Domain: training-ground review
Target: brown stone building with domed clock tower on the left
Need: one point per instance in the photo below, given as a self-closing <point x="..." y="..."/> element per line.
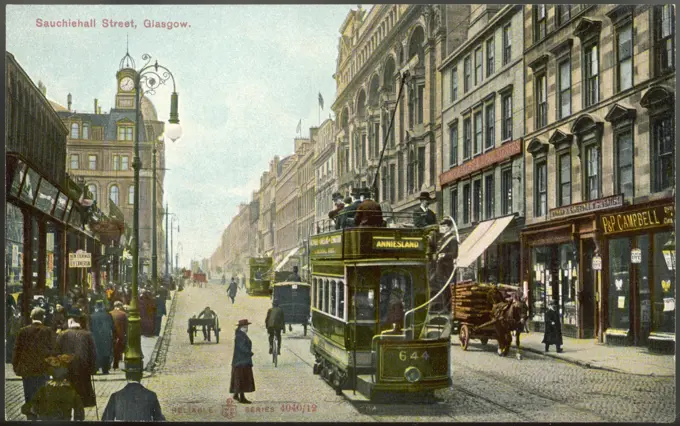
<point x="100" y="150"/>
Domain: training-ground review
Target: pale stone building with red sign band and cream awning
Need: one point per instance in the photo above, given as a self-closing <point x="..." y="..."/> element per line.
<point x="482" y="125"/>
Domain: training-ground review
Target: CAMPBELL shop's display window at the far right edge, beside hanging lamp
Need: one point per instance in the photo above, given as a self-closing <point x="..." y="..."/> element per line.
<point x="663" y="288"/>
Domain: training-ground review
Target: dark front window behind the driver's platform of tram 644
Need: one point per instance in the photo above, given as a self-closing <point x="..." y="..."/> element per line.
<point x="396" y="297"/>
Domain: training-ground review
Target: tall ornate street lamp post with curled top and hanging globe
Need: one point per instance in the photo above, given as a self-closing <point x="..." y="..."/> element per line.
<point x="149" y="77"/>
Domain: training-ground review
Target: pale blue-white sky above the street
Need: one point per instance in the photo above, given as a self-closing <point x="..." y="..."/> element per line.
<point x="245" y="76"/>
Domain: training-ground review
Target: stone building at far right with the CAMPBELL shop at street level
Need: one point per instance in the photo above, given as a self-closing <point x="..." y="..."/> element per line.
<point x="600" y="146"/>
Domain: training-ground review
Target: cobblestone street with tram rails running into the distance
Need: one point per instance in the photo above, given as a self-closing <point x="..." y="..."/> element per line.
<point x="192" y="381"/>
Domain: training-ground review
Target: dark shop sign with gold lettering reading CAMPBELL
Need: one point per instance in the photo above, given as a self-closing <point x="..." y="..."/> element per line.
<point x="637" y="220"/>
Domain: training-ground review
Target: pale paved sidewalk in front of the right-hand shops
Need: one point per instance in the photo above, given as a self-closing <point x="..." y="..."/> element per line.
<point x="590" y="354"/>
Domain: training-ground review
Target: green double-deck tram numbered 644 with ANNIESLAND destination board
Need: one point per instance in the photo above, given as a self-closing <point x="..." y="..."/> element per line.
<point x="373" y="326"/>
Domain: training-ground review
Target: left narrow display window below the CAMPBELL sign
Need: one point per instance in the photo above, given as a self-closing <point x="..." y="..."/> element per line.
<point x="619" y="283"/>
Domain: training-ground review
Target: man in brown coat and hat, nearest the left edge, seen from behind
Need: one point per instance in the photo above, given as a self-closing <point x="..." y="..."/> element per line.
<point x="33" y="345"/>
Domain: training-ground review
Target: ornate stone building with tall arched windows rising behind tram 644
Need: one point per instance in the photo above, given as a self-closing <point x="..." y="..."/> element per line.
<point x="373" y="47"/>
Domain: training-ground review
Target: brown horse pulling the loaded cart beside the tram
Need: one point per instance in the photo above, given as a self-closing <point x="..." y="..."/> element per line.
<point x="511" y="320"/>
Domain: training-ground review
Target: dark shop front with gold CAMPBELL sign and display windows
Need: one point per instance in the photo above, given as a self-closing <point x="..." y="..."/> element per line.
<point x="638" y="281"/>
